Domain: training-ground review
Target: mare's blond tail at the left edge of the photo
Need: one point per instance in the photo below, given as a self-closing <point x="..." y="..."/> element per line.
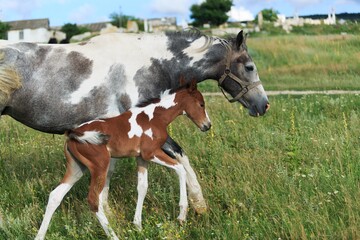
<point x="10" y="80"/>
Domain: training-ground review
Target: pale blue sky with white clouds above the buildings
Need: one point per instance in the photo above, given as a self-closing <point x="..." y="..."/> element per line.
<point x="60" y="12"/>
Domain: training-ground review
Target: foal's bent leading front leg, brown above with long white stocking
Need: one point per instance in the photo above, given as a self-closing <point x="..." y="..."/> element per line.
<point x="161" y="158"/>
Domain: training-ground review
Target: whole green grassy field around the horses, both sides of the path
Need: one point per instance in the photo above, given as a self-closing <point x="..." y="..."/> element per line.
<point x="292" y="174"/>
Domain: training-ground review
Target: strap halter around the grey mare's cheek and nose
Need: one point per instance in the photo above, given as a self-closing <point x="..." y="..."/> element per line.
<point x="245" y="86"/>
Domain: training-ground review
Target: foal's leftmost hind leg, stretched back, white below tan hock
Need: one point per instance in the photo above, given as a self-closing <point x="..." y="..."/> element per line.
<point x="74" y="171"/>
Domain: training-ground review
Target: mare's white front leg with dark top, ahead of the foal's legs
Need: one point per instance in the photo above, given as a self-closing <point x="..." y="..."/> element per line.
<point x="195" y="193"/>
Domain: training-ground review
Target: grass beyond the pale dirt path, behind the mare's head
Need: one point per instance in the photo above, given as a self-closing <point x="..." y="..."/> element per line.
<point x="292" y="62"/>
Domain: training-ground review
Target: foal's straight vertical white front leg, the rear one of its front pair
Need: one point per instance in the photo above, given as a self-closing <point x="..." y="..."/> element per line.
<point x="142" y="187"/>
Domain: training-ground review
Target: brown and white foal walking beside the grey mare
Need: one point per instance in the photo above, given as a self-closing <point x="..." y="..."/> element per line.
<point x="139" y="132"/>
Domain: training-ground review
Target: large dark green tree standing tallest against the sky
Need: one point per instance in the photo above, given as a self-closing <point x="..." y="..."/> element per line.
<point x="211" y="11"/>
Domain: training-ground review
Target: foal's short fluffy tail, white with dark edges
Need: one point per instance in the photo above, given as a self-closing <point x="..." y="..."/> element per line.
<point x="91" y="137"/>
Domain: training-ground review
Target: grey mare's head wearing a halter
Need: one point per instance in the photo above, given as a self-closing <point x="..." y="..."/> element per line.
<point x="241" y="80"/>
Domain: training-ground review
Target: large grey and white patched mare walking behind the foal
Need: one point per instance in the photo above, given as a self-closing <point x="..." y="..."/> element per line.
<point x="54" y="88"/>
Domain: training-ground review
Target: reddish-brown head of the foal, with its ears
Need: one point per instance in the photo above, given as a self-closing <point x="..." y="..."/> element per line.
<point x="193" y="104"/>
